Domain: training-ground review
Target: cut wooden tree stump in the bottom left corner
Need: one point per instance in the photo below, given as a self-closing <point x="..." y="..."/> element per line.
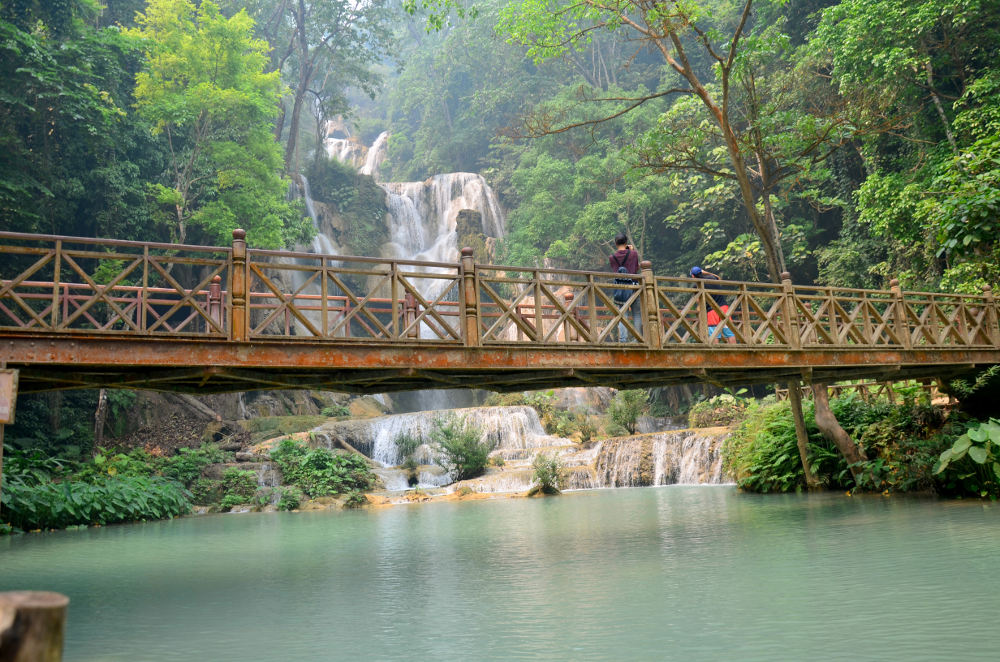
<point x="31" y="626"/>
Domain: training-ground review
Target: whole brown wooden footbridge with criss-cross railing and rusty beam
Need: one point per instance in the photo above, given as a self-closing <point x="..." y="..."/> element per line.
<point x="83" y="313"/>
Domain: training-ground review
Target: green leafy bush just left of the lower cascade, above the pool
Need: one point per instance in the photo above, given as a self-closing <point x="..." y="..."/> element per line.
<point x="319" y="471"/>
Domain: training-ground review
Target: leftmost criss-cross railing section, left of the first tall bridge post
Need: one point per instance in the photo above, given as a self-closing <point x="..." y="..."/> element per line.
<point x="73" y="285"/>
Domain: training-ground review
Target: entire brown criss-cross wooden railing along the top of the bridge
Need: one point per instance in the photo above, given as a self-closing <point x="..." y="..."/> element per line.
<point x="52" y="284"/>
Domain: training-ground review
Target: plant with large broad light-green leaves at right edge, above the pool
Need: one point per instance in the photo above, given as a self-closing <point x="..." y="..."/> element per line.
<point x="972" y="464"/>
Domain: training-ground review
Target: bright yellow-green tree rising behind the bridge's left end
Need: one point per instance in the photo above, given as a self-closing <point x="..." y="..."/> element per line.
<point x="205" y="91"/>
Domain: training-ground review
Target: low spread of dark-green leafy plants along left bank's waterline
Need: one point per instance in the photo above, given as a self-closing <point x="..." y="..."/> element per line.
<point x="107" y="500"/>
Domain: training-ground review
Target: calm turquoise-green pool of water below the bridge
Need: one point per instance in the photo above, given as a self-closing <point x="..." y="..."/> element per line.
<point x="672" y="573"/>
